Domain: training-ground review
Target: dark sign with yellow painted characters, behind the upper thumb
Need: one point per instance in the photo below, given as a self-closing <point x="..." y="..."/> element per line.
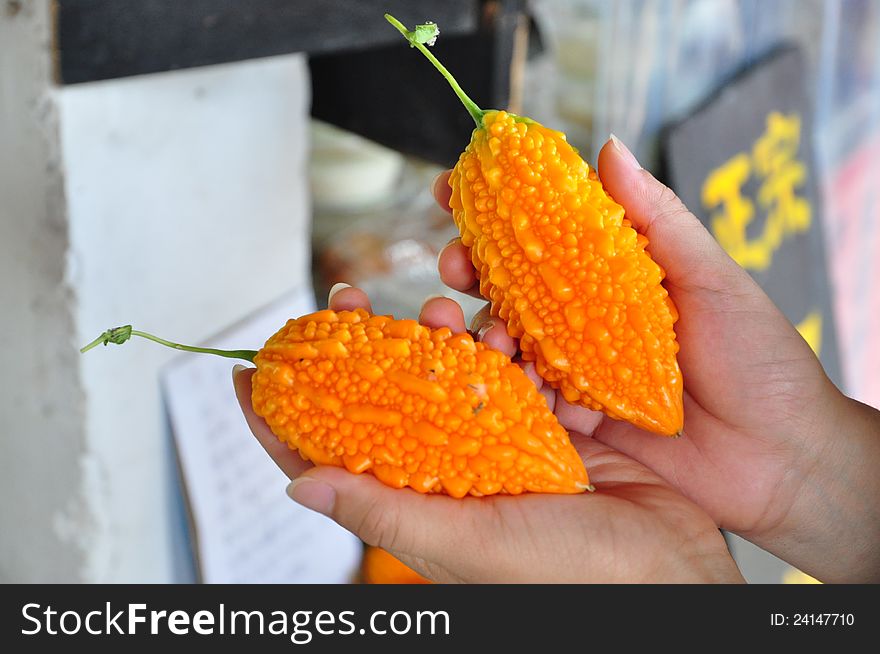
<point x="743" y="163"/>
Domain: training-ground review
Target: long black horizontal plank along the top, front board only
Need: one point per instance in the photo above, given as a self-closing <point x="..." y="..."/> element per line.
<point x="107" y="39"/>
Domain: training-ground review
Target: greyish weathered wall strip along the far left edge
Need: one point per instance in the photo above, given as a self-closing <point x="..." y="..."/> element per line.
<point x="43" y="510"/>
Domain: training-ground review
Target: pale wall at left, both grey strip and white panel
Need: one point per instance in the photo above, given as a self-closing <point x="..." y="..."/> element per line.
<point x="182" y="206"/>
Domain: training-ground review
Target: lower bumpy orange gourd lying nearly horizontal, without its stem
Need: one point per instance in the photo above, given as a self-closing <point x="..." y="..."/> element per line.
<point x="417" y="407"/>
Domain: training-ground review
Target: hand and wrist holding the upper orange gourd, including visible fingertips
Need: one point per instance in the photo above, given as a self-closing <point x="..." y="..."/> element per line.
<point x="771" y="450"/>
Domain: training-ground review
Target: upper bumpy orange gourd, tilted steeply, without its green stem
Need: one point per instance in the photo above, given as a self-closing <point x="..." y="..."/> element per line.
<point x="568" y="273"/>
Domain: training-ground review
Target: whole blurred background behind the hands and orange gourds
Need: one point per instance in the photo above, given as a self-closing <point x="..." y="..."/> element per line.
<point x="196" y="168"/>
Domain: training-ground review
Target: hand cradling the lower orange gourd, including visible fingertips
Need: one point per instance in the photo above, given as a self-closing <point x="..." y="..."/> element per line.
<point x="634" y="528"/>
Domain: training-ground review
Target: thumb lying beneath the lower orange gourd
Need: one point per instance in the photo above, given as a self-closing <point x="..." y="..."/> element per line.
<point x="419" y="529"/>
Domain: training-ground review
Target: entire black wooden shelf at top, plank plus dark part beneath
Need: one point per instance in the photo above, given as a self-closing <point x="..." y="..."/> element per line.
<point x="363" y="78"/>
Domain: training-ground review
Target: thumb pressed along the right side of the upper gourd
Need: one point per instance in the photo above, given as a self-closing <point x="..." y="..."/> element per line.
<point x="677" y="240"/>
